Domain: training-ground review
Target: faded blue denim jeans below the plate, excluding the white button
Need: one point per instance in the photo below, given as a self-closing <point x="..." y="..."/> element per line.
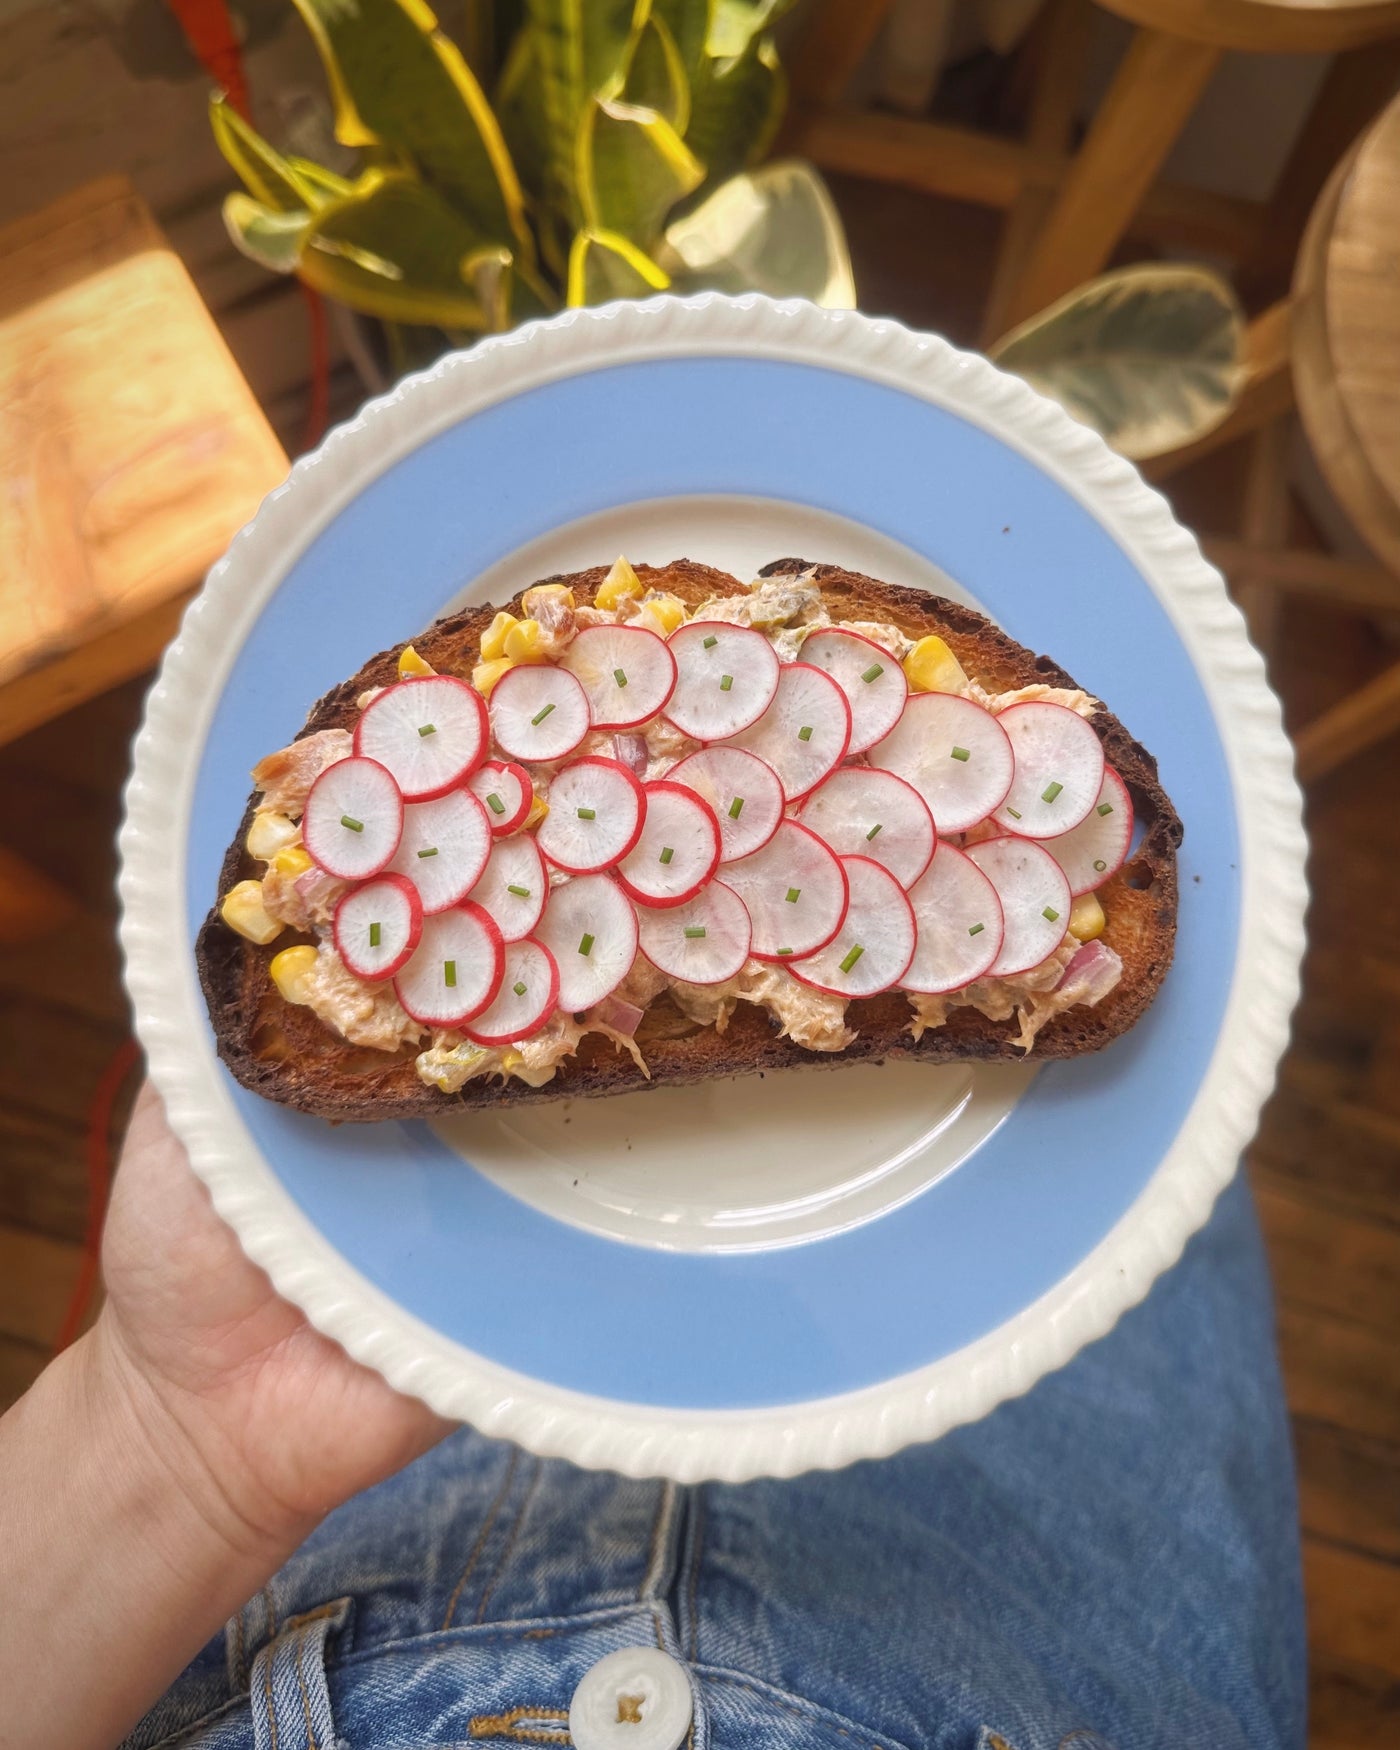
<point x="1110" y="1560"/>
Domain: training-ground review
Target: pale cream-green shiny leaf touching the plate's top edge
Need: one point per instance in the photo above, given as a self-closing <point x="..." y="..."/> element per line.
<point x="771" y="232"/>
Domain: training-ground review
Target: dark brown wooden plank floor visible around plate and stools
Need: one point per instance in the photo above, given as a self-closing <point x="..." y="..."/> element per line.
<point x="1326" y="1165"/>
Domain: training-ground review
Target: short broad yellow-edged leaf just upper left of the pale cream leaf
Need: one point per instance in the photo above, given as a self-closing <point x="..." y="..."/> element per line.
<point x="634" y="167"/>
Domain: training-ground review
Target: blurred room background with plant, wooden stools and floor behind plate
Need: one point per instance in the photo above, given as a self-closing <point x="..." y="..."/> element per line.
<point x="223" y="227"/>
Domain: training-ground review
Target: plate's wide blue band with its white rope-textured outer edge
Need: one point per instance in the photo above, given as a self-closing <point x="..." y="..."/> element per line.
<point x="769" y="1361"/>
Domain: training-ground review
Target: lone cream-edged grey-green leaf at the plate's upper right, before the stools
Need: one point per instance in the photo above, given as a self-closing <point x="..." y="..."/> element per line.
<point x="1149" y="356"/>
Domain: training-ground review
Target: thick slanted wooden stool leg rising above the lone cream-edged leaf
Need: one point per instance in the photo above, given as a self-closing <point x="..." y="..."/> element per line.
<point x="1144" y="113"/>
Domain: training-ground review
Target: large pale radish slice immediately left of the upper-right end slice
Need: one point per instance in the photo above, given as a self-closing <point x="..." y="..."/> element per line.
<point x="955" y="753"/>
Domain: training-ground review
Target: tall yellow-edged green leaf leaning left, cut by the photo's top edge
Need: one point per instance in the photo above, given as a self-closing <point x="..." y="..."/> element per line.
<point x="400" y="83"/>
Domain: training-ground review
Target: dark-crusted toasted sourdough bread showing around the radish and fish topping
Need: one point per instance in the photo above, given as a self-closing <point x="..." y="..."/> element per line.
<point x="286" y="1054"/>
